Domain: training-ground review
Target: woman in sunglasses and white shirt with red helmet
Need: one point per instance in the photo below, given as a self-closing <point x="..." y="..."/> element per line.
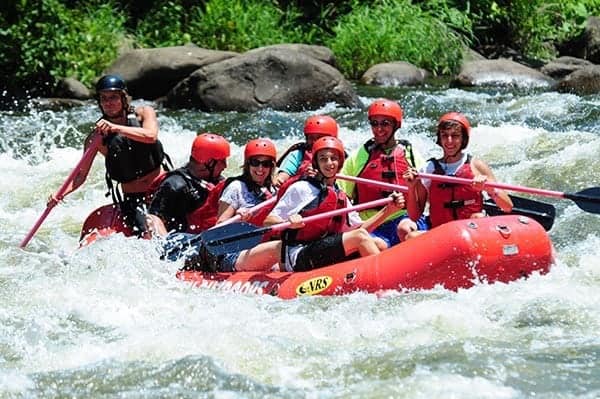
<point x="253" y="186"/>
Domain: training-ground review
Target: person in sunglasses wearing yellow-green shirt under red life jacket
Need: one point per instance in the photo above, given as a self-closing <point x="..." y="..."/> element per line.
<point x="382" y="158"/>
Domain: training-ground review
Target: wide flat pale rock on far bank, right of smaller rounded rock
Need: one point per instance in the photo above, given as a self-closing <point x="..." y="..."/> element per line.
<point x="501" y="73"/>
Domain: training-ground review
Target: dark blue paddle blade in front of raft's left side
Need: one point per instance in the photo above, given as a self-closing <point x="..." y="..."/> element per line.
<point x="232" y="237"/>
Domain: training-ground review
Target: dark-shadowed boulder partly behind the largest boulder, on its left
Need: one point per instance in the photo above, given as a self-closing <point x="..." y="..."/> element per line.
<point x="151" y="73"/>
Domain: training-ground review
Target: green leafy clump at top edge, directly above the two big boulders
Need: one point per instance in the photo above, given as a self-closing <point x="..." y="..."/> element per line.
<point x="239" y="25"/>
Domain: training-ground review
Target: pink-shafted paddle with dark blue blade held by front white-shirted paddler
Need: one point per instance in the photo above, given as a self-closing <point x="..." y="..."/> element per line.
<point x="239" y="236"/>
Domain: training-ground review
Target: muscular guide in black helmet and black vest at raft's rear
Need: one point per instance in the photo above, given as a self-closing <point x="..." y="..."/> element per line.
<point x="134" y="157"/>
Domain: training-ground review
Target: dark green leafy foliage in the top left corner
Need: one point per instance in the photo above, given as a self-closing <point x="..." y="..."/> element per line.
<point x="50" y="41"/>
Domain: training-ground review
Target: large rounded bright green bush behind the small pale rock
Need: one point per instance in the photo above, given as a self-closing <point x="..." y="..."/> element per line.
<point x="394" y="31"/>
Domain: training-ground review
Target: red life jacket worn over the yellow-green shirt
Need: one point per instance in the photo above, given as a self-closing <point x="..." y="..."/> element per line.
<point x="385" y="168"/>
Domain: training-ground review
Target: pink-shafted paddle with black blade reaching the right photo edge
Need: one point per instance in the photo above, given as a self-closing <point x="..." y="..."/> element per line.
<point x="588" y="199"/>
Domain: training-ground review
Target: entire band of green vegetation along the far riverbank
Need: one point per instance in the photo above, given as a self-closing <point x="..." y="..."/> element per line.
<point x="42" y="41"/>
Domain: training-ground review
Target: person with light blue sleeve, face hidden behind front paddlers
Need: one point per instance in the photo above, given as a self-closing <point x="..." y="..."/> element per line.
<point x="298" y="158"/>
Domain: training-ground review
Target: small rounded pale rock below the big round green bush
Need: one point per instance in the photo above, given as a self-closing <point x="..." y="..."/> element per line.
<point x="398" y="73"/>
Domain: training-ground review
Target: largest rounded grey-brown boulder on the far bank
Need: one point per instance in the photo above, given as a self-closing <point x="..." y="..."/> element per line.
<point x="264" y="78"/>
